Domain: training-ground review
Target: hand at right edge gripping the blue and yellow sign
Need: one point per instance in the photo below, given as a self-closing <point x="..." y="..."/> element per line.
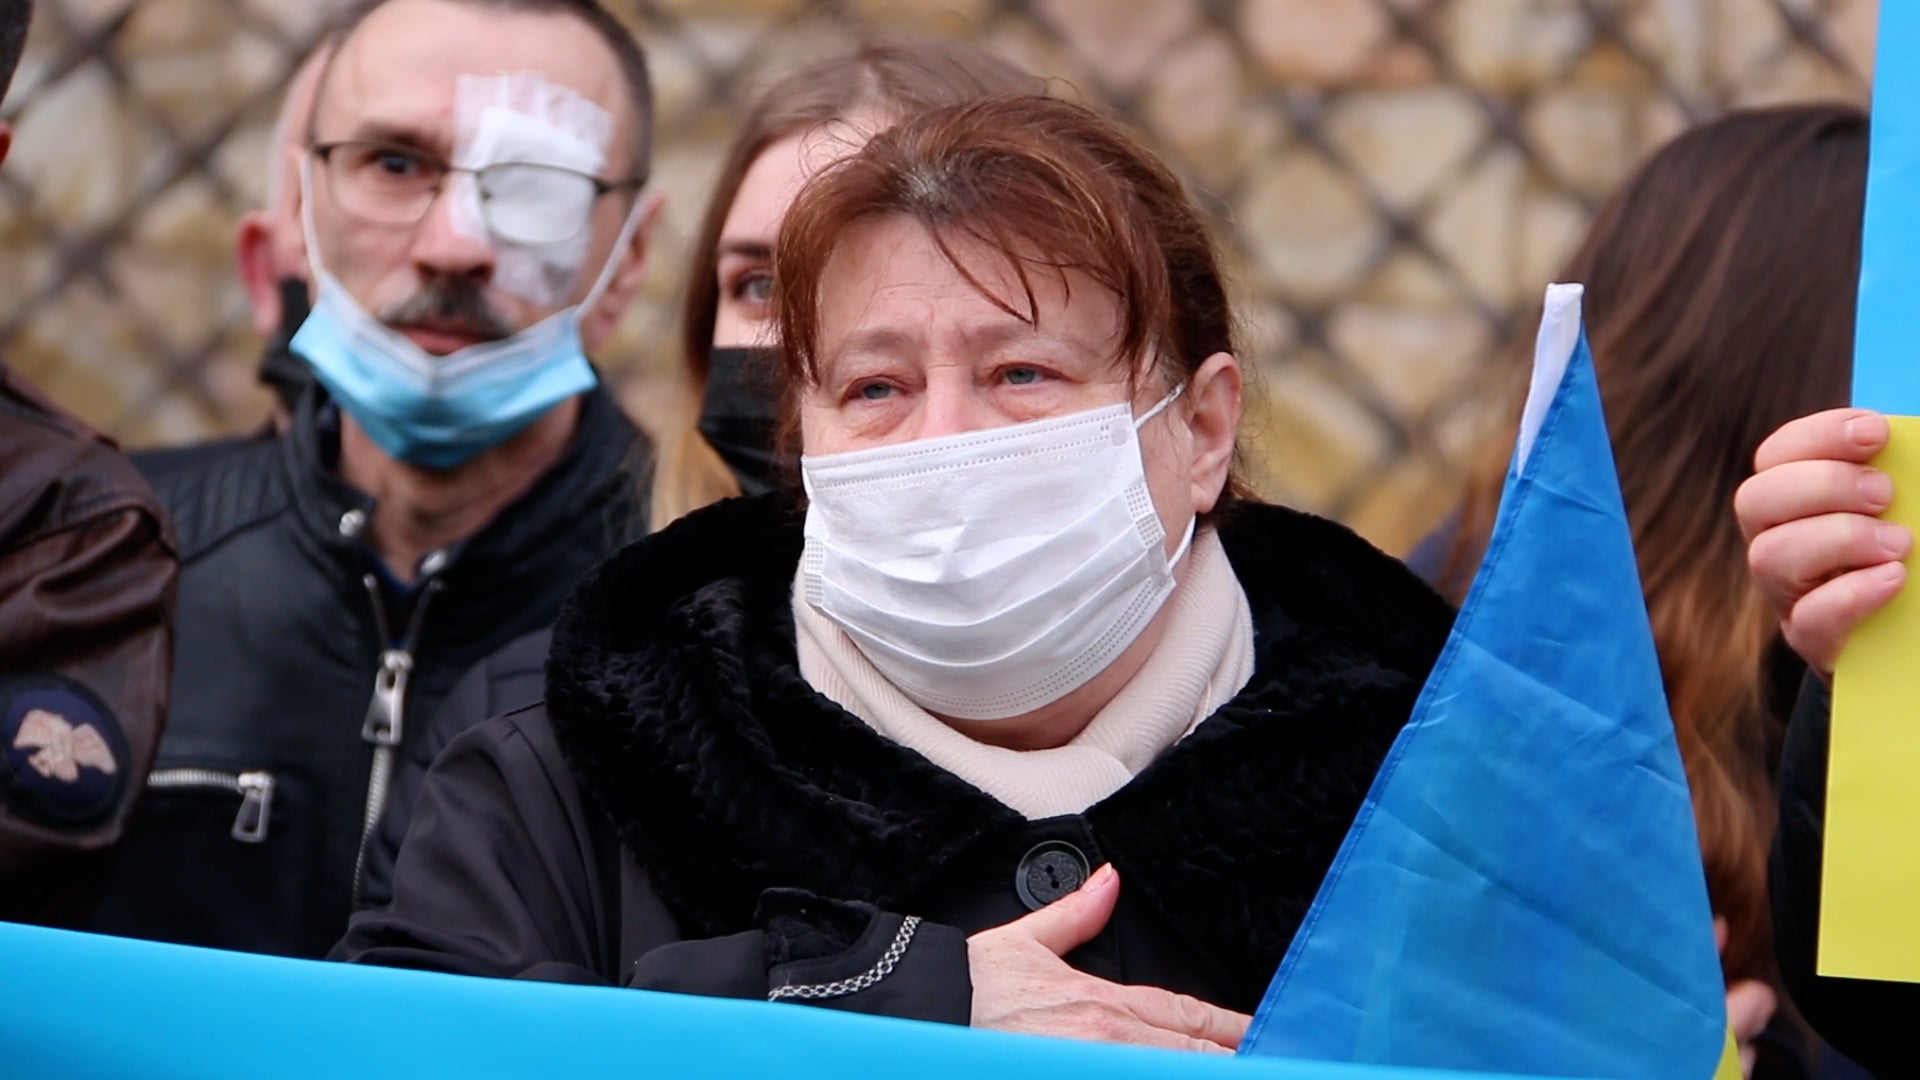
<point x="1815" y="545"/>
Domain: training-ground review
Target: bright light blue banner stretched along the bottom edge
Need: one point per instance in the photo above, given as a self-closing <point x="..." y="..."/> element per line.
<point x="93" y="1006"/>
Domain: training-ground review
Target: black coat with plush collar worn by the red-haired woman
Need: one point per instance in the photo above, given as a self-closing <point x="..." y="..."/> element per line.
<point x="688" y="814"/>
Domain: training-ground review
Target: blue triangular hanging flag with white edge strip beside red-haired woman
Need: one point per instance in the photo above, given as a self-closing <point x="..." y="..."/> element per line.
<point x="1524" y="887"/>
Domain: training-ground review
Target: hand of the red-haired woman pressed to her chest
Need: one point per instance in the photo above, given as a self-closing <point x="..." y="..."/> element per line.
<point x="1020" y="983"/>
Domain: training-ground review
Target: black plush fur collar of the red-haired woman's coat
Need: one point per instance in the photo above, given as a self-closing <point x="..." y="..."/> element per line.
<point x="677" y="697"/>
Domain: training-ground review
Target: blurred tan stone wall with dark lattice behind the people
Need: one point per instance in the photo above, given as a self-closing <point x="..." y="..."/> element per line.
<point x="1397" y="182"/>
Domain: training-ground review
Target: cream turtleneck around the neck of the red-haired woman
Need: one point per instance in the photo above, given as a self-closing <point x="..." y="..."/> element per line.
<point x="1205" y="658"/>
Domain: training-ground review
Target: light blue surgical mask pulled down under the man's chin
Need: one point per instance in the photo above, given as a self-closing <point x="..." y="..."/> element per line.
<point x="431" y="410"/>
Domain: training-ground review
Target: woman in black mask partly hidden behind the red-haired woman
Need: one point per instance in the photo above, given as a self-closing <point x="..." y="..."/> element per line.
<point x="800" y="126"/>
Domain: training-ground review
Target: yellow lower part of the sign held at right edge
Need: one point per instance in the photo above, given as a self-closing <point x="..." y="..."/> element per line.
<point x="1871" y="883"/>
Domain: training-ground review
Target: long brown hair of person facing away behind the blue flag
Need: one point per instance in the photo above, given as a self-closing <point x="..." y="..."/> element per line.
<point x="1719" y="305"/>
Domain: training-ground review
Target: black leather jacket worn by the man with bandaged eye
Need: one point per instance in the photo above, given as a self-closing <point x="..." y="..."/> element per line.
<point x="300" y="679"/>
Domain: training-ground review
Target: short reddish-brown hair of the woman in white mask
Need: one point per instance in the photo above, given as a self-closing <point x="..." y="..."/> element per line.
<point x="1045" y="184"/>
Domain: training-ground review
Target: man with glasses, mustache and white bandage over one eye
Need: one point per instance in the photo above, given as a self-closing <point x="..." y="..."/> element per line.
<point x="475" y="214"/>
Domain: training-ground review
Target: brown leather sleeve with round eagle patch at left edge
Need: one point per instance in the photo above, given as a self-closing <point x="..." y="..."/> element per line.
<point x="87" y="581"/>
